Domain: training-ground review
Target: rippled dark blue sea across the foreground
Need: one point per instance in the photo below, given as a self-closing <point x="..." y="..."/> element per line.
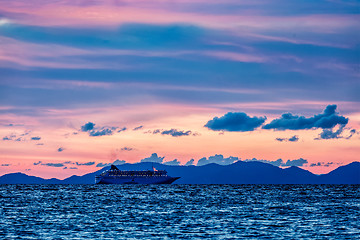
<point x="179" y="211"/>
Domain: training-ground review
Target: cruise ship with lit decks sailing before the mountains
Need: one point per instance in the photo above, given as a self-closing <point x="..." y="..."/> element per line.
<point x="117" y="176"/>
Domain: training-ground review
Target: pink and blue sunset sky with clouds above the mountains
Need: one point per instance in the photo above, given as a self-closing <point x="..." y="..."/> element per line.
<point x="87" y="83"/>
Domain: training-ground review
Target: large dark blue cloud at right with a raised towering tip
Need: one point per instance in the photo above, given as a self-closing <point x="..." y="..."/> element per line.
<point x="328" y="119"/>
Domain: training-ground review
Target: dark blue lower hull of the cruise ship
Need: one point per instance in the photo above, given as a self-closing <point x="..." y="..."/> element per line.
<point x="134" y="180"/>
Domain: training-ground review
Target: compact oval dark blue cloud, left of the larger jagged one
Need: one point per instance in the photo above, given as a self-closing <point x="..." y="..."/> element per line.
<point x="235" y="122"/>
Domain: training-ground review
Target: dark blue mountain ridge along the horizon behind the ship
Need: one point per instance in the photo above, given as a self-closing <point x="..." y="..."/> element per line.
<point x="236" y="173"/>
